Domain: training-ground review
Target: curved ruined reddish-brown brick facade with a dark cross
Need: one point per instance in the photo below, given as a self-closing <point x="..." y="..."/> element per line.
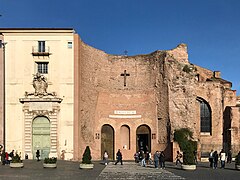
<point x="162" y="91"/>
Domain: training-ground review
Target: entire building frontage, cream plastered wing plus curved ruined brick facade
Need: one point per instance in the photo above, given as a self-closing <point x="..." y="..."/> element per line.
<point x="110" y="102"/>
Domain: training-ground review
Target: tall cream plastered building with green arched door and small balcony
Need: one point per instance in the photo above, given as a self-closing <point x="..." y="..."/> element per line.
<point x="36" y="120"/>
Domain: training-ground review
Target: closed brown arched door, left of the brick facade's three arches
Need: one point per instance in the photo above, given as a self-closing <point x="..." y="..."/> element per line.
<point x="107" y="141"/>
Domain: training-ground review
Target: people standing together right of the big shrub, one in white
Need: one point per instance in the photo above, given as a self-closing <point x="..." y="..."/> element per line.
<point x="214" y="158"/>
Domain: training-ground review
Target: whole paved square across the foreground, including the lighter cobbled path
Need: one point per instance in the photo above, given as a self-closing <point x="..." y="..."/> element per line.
<point x="65" y="170"/>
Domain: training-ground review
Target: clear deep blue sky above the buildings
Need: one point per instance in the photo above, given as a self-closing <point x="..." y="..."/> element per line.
<point x="210" y="28"/>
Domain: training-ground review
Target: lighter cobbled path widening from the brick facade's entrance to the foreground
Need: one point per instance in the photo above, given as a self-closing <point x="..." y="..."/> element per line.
<point x="131" y="170"/>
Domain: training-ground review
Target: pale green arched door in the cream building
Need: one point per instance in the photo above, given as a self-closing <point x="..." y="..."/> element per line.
<point x="41" y="137"/>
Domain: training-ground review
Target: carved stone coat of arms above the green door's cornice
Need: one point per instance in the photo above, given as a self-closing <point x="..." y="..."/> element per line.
<point x="40" y="85"/>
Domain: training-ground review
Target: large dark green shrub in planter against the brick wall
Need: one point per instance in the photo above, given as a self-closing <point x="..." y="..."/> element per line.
<point x="184" y="137"/>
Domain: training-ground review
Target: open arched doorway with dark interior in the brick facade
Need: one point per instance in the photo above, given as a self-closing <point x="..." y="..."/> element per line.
<point x="143" y="135"/>
